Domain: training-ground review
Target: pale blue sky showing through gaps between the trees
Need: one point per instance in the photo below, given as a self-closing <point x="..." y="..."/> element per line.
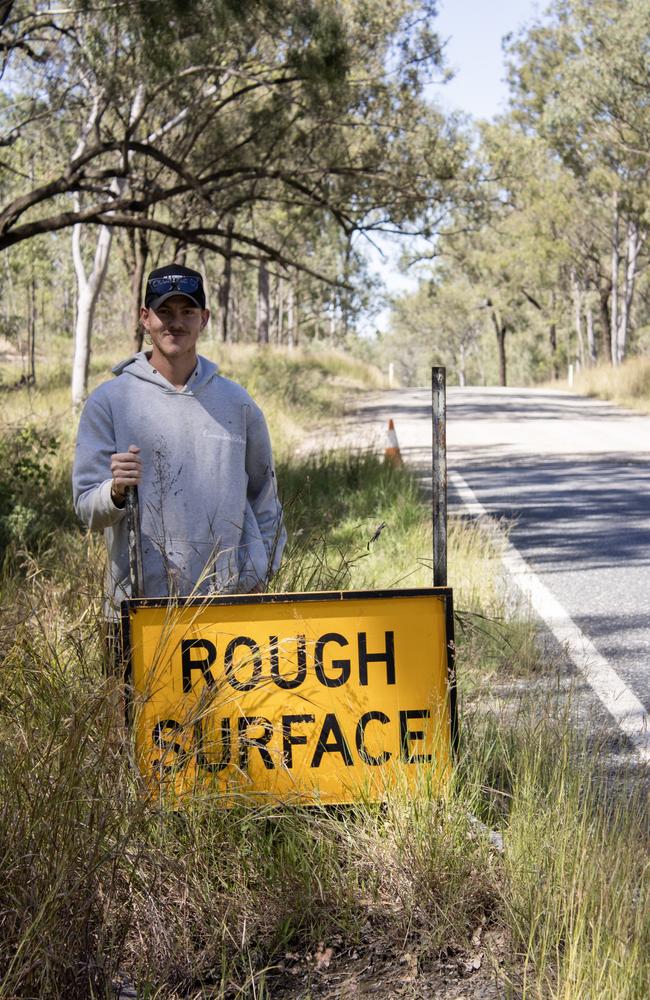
<point x="471" y="31"/>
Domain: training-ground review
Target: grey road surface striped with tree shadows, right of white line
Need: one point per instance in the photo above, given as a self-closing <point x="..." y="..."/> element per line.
<point x="571" y="477"/>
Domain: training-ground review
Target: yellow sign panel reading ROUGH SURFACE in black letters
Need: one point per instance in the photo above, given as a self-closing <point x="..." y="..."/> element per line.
<point x="307" y="698"/>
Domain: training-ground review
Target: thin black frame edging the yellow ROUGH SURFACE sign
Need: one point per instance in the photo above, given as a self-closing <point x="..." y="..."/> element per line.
<point x="130" y="605"/>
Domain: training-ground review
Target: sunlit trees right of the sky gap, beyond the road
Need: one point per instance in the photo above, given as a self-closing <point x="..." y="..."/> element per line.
<point x="558" y="258"/>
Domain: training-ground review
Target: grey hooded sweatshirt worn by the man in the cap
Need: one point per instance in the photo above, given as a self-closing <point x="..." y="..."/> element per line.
<point x="211" y="518"/>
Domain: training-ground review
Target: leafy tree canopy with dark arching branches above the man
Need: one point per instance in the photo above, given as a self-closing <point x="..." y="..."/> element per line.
<point x="188" y="121"/>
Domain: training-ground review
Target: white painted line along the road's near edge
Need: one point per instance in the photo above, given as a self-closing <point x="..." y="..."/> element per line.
<point x="621" y="703"/>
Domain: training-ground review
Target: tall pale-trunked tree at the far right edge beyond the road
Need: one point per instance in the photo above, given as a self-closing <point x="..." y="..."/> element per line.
<point x="580" y="79"/>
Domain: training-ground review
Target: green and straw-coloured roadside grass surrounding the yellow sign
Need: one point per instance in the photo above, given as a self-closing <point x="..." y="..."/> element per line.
<point x="97" y="881"/>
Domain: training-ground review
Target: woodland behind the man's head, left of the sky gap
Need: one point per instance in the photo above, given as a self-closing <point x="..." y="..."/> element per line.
<point x="257" y="140"/>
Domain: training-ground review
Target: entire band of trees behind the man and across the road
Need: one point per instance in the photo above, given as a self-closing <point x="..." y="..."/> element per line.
<point x="271" y="144"/>
